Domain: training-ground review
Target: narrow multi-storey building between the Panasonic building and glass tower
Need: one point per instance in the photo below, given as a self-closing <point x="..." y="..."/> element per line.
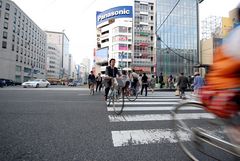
<point x="144" y="36"/>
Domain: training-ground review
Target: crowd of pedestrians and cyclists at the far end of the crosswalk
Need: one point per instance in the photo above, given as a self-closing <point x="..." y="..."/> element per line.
<point x="143" y="81"/>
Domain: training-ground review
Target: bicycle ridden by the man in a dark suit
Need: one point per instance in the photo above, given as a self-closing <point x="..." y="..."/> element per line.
<point x="116" y="95"/>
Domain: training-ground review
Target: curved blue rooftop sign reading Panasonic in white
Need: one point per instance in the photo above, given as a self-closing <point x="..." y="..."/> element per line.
<point x="117" y="12"/>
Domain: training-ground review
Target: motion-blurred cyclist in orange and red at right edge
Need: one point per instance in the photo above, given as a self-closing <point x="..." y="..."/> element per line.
<point x="221" y="96"/>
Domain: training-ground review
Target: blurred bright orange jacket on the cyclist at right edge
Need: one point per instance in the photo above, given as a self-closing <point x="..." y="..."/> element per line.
<point x="225" y="71"/>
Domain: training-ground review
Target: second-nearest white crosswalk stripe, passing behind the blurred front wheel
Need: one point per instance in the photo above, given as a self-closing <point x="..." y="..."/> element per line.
<point x="159" y="117"/>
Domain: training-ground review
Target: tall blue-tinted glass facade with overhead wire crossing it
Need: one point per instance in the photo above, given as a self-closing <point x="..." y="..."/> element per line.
<point x="177" y="38"/>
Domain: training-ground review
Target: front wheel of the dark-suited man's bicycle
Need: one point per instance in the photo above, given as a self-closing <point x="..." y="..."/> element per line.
<point x="118" y="103"/>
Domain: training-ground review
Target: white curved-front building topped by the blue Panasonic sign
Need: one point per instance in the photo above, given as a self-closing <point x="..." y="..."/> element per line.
<point x="114" y="37"/>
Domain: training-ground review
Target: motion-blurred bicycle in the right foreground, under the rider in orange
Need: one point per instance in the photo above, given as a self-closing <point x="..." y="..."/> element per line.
<point x="191" y="137"/>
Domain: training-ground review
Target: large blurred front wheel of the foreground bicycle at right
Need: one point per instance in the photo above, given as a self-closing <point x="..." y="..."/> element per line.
<point x="190" y="120"/>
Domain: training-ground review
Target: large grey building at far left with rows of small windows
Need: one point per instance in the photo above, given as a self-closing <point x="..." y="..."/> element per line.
<point x="22" y="45"/>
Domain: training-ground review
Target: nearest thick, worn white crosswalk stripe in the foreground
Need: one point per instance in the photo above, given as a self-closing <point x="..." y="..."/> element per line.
<point x="138" y="137"/>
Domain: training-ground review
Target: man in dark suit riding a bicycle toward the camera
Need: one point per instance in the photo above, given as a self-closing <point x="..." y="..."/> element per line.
<point x="111" y="72"/>
